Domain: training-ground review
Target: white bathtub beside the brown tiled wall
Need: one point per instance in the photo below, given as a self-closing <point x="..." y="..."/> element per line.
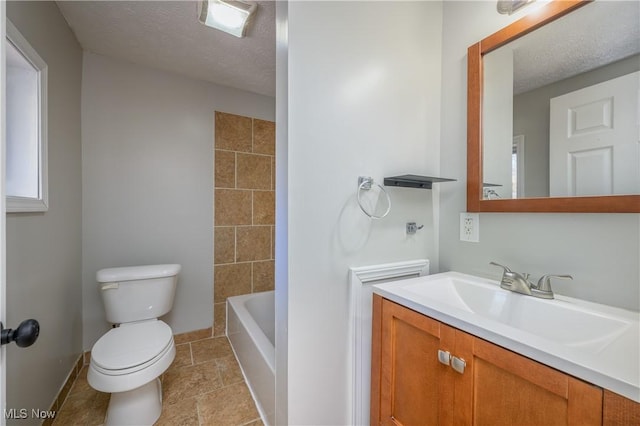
<point x="251" y="331"/>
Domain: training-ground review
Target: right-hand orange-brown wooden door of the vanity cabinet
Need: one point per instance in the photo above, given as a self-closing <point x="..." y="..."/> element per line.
<point x="499" y="387"/>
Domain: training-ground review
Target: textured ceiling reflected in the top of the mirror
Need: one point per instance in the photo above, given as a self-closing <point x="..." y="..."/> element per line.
<point x="590" y="37"/>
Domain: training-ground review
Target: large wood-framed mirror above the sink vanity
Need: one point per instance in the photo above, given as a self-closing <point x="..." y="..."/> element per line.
<point x="485" y="114"/>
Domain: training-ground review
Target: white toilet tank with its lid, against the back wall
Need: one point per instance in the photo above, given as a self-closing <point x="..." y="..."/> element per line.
<point x="136" y="293"/>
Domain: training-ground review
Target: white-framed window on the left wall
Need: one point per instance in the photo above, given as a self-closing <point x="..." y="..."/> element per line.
<point x="26" y="121"/>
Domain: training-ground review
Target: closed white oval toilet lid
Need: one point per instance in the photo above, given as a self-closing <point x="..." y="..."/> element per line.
<point x="131" y="345"/>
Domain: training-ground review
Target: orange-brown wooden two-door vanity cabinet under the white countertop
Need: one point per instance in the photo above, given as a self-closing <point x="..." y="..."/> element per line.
<point x="410" y="386"/>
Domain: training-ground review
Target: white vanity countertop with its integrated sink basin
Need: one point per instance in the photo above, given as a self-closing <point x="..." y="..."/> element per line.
<point x="597" y="343"/>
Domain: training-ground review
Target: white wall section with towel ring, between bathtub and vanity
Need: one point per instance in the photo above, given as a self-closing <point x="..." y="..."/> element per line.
<point x="363" y="99"/>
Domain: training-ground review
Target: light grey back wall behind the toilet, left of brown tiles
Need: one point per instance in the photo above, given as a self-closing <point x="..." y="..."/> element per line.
<point x="147" y="163"/>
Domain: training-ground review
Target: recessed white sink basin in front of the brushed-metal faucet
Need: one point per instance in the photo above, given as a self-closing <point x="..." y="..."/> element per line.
<point x="557" y="320"/>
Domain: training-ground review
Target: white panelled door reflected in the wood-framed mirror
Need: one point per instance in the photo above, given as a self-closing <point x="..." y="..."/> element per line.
<point x="595" y="140"/>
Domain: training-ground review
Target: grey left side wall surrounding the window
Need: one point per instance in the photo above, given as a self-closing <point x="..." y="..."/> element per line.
<point x="44" y="250"/>
